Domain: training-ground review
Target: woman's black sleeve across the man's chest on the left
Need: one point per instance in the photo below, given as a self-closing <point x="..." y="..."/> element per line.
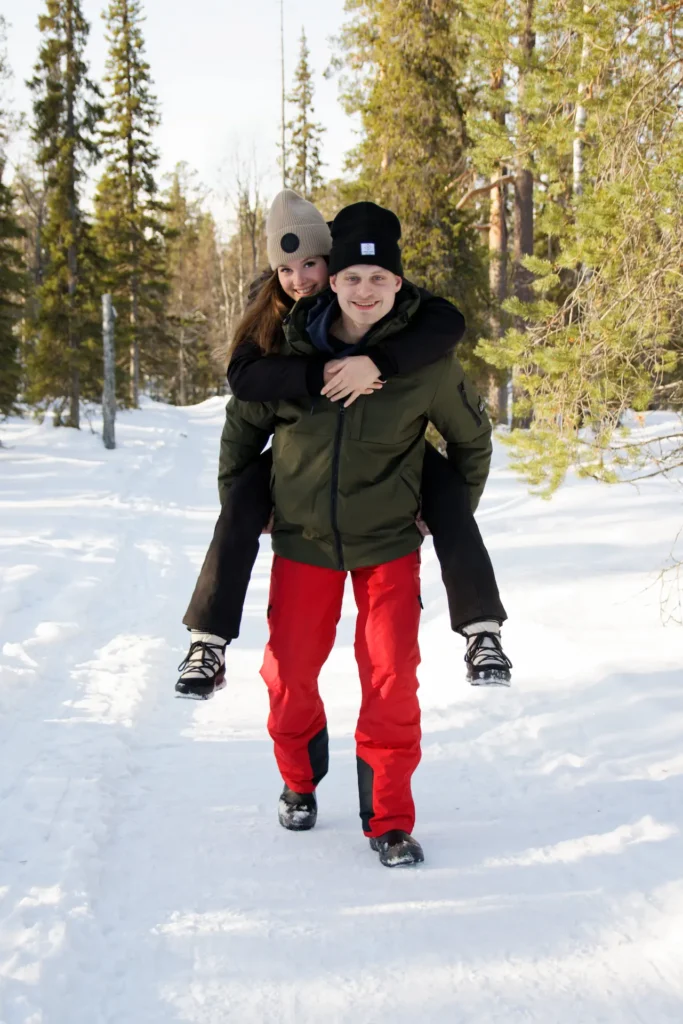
<point x="255" y="377"/>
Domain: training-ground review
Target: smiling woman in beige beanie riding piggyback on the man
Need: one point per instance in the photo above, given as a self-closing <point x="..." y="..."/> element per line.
<point x="298" y="245"/>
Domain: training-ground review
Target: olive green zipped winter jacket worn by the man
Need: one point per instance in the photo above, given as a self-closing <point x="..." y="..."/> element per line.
<point x="347" y="483"/>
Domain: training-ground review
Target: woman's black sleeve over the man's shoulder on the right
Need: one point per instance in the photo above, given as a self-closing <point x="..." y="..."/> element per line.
<point x="434" y="333"/>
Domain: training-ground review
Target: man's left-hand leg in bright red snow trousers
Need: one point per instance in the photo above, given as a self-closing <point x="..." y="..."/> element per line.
<point x="304" y="612"/>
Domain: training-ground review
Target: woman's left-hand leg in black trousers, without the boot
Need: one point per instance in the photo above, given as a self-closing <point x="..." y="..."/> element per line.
<point x="219" y="601"/>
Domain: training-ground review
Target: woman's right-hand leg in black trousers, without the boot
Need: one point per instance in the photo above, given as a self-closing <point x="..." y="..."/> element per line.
<point x="466" y="570"/>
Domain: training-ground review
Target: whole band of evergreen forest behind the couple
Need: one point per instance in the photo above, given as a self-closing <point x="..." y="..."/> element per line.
<point x="533" y="150"/>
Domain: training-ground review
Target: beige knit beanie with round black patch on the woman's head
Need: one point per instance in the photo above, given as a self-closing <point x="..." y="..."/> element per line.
<point x="295" y="230"/>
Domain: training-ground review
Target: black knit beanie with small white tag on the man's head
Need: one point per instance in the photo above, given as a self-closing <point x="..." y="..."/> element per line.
<point x="366" y="233"/>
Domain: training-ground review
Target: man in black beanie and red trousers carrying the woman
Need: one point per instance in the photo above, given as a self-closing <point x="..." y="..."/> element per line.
<point x="346" y="487"/>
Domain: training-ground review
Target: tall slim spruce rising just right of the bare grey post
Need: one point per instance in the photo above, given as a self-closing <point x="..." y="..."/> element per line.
<point x="130" y="228"/>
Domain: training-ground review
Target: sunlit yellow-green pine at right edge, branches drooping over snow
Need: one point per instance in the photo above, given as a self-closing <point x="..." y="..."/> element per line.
<point x="606" y="324"/>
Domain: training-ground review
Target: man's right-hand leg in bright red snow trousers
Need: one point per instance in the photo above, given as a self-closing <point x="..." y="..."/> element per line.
<point x="389" y="655"/>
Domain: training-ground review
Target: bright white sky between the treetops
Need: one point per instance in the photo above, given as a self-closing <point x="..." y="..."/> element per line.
<point x="217" y="70"/>
